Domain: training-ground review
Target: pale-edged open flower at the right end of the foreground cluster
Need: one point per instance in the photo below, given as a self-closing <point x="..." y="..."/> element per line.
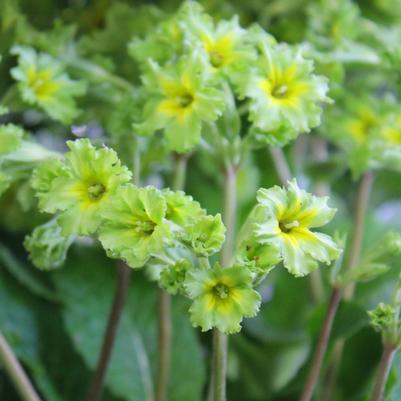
<point x="286" y="219"/>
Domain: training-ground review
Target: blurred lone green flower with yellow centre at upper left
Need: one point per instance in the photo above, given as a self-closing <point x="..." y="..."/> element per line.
<point x="43" y="82"/>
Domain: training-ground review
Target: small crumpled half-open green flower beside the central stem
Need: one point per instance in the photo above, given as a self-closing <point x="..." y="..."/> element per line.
<point x="206" y="235"/>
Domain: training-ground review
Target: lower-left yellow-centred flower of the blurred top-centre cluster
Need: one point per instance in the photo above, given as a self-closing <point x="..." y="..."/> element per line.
<point x="182" y="98"/>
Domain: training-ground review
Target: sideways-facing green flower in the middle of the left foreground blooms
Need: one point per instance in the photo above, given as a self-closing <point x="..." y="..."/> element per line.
<point x="134" y="225"/>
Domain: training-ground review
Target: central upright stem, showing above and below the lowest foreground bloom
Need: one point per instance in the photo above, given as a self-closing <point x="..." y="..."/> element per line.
<point x="220" y="340"/>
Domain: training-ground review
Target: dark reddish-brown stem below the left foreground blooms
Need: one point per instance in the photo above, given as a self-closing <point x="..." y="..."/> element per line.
<point x="96" y="388"/>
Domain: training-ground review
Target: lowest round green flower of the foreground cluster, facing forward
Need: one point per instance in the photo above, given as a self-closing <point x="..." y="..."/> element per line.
<point x="221" y="298"/>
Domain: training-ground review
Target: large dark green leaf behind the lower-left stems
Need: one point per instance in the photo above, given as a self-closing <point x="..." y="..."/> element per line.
<point x="88" y="277"/>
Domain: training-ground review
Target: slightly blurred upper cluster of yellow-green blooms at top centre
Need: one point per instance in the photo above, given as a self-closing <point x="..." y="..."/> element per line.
<point x="193" y="66"/>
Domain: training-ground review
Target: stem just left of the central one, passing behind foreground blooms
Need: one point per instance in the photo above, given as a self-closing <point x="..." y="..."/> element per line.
<point x="164" y="303"/>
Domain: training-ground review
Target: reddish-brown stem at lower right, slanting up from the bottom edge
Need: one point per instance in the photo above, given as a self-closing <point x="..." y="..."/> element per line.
<point x="321" y="346"/>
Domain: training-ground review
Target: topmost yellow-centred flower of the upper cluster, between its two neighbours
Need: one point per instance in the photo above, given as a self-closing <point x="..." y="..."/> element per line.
<point x="224" y="44"/>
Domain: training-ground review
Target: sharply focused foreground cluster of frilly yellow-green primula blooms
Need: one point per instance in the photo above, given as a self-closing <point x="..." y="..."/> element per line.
<point x="89" y="192"/>
